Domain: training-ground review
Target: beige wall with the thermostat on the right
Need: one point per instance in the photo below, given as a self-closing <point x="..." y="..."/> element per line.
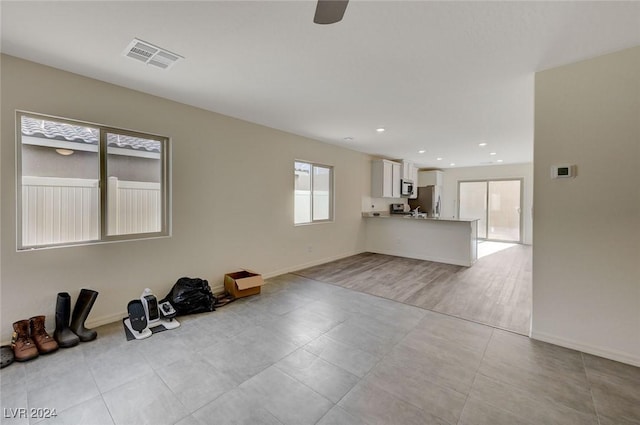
<point x="586" y="251"/>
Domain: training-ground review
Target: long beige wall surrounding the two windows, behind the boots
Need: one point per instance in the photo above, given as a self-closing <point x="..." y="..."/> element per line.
<point x="232" y="190"/>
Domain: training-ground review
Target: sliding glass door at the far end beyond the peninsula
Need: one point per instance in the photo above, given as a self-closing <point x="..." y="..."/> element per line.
<point x="498" y="206"/>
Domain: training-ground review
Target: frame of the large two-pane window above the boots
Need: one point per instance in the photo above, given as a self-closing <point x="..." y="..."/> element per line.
<point x="103" y="150"/>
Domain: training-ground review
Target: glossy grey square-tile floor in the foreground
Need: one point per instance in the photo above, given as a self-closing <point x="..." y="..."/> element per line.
<point x="306" y="352"/>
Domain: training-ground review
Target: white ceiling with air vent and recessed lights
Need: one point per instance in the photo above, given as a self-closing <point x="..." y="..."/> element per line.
<point x="439" y="76"/>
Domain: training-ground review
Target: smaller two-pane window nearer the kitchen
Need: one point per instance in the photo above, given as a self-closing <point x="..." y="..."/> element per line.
<point x="313" y="192"/>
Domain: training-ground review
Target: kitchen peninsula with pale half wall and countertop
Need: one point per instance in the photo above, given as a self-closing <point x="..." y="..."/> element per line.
<point x="444" y="240"/>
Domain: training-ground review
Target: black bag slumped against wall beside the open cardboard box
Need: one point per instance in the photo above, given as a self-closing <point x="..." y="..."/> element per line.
<point x="190" y="296"/>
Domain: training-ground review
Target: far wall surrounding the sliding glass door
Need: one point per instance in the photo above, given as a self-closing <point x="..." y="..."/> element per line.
<point x="452" y="176"/>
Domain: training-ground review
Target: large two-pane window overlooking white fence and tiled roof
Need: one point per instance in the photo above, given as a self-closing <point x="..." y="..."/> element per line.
<point x="83" y="183"/>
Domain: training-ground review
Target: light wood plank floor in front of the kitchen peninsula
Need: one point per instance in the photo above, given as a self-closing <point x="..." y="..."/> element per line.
<point x="495" y="291"/>
